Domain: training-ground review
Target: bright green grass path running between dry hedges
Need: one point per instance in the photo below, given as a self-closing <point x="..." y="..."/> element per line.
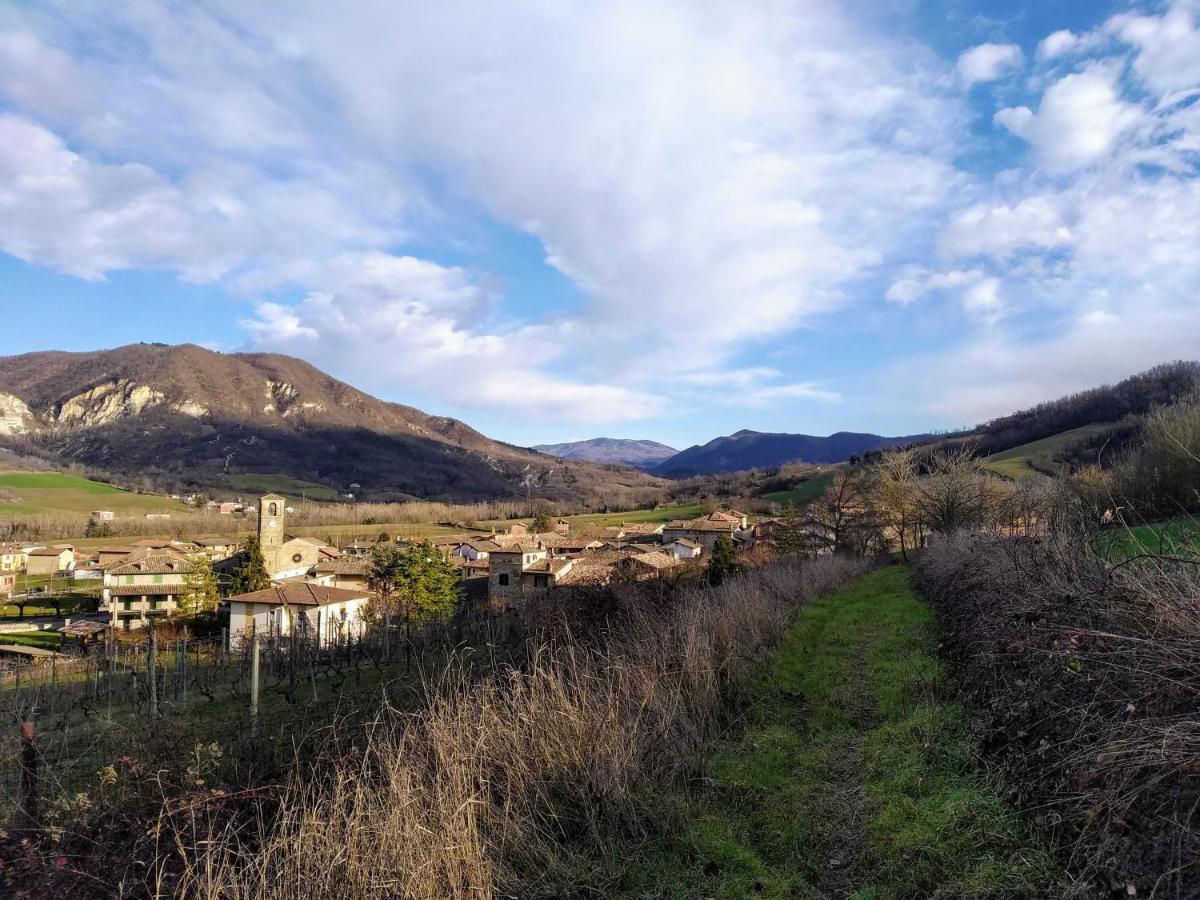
<point x="855" y="776"/>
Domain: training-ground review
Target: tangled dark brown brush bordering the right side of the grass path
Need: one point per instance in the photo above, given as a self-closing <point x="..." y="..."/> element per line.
<point x="1090" y="676"/>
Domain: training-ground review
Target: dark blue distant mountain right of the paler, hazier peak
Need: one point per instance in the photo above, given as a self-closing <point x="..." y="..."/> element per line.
<point x="763" y="451"/>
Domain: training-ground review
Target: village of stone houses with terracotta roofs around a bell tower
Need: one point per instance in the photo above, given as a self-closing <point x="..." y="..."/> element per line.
<point x="325" y="591"/>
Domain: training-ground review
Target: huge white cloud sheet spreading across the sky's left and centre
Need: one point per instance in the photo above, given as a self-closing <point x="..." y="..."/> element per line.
<point x="730" y="171"/>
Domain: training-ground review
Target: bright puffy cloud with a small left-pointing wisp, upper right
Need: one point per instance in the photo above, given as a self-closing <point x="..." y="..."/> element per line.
<point x="1079" y="122"/>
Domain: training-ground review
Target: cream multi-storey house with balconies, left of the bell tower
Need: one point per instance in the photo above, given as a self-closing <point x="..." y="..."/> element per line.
<point x="149" y="585"/>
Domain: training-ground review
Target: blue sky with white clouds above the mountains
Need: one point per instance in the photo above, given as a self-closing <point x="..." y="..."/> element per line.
<point x="649" y="219"/>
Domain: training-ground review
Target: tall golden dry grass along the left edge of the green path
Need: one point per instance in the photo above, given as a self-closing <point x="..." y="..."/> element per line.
<point x="517" y="784"/>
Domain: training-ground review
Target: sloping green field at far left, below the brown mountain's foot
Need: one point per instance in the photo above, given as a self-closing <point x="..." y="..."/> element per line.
<point x="50" y="493"/>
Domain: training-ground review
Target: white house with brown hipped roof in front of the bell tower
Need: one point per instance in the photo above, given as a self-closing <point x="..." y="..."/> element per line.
<point x="325" y="614"/>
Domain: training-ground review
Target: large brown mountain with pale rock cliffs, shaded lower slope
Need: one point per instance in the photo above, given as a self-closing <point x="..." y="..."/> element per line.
<point x="188" y="416"/>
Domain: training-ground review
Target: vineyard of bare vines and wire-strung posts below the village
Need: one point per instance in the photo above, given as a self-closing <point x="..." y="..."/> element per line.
<point x="247" y="713"/>
